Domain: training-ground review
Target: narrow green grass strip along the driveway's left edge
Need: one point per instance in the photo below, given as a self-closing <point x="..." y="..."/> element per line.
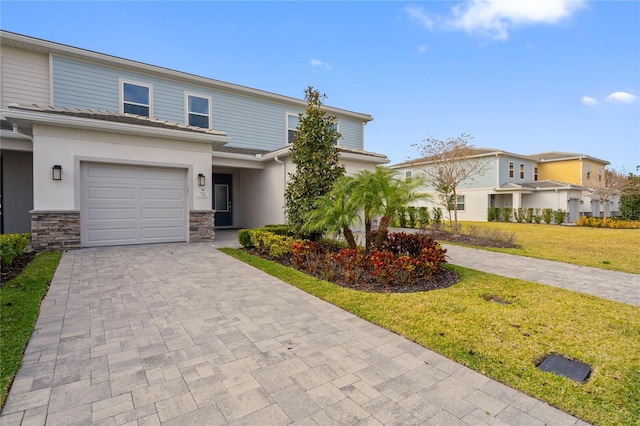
<point x="19" y="307"/>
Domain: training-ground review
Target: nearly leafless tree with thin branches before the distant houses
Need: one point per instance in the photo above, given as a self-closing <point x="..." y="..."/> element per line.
<point x="451" y="162"/>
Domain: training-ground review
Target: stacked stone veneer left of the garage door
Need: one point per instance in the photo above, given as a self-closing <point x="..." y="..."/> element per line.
<point x="55" y="230"/>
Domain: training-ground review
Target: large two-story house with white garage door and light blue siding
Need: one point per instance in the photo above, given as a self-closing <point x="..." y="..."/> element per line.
<point x="98" y="150"/>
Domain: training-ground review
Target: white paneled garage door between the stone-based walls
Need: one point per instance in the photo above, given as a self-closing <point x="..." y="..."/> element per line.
<point x="124" y="204"/>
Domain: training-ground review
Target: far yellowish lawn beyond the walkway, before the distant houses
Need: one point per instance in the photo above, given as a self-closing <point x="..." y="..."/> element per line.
<point x="614" y="249"/>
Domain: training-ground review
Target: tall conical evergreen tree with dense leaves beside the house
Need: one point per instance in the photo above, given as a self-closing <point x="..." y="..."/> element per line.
<point x="315" y="156"/>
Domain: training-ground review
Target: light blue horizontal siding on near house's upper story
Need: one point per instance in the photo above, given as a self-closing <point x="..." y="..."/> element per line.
<point x="249" y="122"/>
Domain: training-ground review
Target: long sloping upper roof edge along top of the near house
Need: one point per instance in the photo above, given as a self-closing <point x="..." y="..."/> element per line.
<point x="12" y="39"/>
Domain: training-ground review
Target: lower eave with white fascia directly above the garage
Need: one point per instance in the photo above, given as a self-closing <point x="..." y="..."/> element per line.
<point x="59" y="120"/>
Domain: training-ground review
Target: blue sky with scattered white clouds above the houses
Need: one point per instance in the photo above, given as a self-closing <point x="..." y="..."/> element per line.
<point x="523" y="76"/>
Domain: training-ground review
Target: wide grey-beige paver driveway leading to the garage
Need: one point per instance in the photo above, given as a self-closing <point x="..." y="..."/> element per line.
<point x="183" y="334"/>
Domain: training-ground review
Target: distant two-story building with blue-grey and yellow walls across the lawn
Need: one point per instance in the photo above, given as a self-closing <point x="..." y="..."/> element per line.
<point x="514" y="181"/>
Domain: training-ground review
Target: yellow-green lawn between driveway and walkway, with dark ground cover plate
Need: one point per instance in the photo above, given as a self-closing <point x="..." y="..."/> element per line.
<point x="505" y="342"/>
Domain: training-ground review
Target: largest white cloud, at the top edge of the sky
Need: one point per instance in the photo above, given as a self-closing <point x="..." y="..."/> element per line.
<point x="495" y="18"/>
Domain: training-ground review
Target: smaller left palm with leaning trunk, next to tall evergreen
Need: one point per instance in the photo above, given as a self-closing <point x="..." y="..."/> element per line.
<point x="334" y="212"/>
